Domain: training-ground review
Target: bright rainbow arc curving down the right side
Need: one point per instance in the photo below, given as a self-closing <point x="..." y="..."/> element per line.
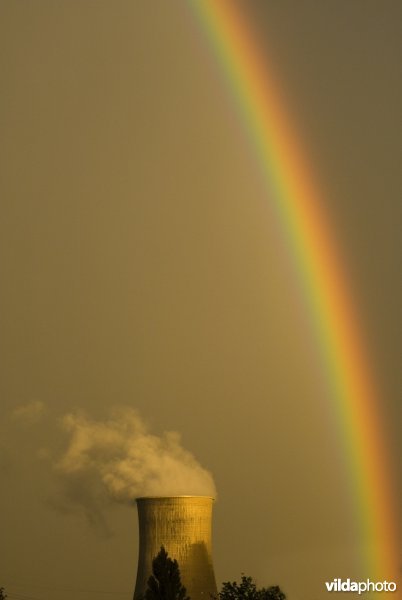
<point x="321" y="278"/>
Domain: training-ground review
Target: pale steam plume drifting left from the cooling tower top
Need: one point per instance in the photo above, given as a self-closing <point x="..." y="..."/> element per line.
<point x="126" y="461"/>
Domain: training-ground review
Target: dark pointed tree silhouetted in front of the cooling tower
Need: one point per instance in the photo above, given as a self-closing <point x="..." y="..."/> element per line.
<point x="165" y="582"/>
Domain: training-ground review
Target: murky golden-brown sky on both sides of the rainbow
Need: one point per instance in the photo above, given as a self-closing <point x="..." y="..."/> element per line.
<point x="140" y="268"/>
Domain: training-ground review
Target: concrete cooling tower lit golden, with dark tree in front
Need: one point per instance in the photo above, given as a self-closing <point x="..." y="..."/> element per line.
<point x="182" y="524"/>
